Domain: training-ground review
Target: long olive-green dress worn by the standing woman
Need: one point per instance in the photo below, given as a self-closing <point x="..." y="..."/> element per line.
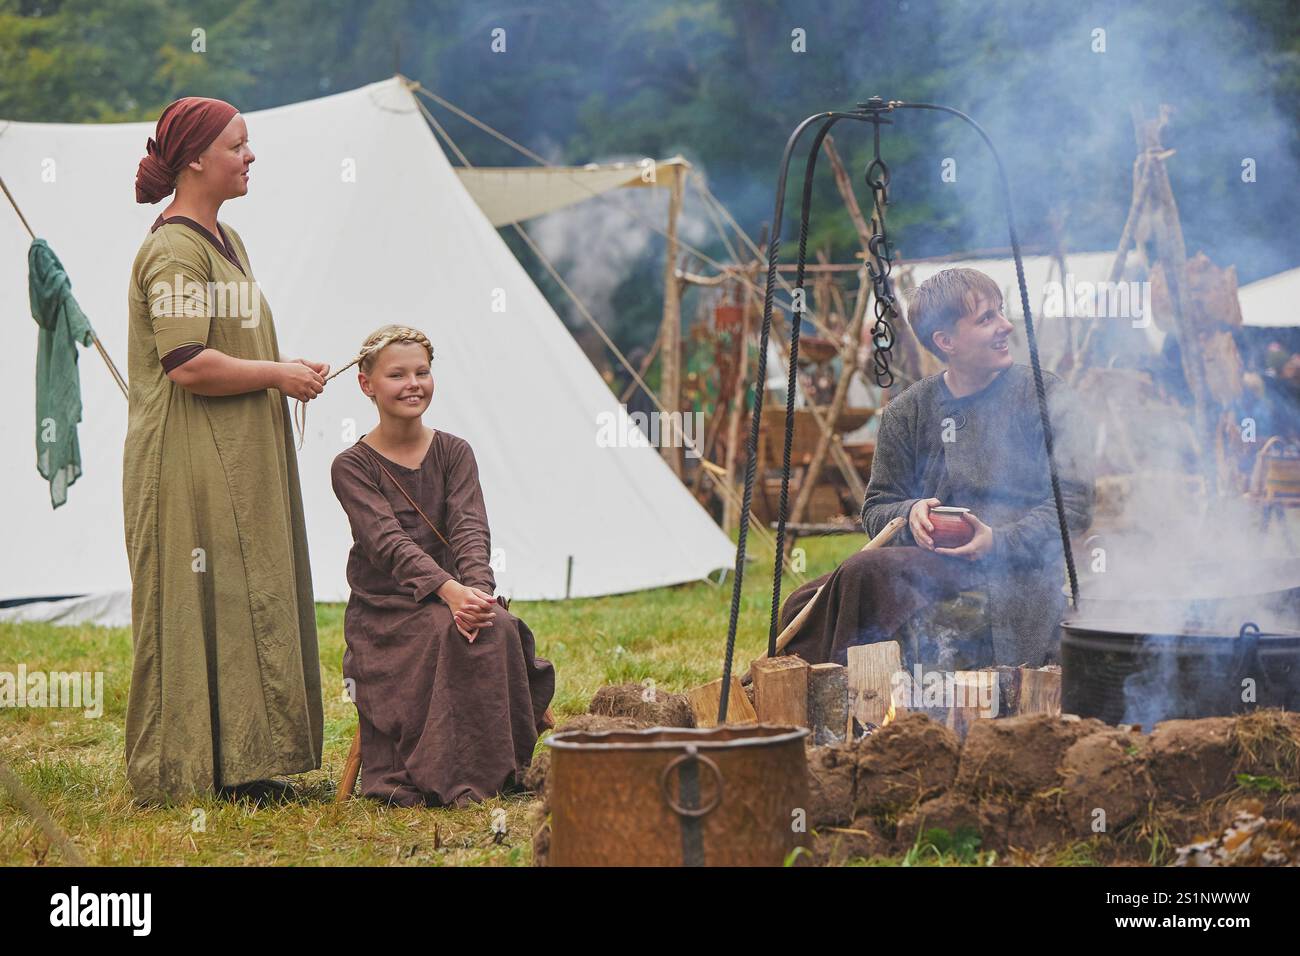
<point x="226" y="685"/>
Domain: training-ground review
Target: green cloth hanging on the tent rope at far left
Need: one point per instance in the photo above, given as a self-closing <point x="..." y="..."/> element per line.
<point x="63" y="327"/>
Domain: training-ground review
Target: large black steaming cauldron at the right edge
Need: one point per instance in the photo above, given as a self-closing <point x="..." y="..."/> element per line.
<point x="1123" y="673"/>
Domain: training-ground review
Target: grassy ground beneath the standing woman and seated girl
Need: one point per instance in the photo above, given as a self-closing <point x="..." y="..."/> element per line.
<point x="76" y="765"/>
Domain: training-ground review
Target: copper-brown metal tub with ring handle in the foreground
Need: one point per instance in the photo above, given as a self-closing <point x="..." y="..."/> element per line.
<point x="675" y="797"/>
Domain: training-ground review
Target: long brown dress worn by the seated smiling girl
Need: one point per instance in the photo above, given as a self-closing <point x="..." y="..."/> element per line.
<point x="443" y="721"/>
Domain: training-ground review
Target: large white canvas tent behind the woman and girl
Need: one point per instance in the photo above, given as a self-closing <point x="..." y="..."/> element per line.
<point x="354" y="219"/>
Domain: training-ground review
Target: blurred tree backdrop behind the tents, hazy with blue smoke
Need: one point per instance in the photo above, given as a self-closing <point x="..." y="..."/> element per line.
<point x="723" y="84"/>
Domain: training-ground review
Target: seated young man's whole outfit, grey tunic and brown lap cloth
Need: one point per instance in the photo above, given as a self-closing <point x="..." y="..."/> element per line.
<point x="983" y="452"/>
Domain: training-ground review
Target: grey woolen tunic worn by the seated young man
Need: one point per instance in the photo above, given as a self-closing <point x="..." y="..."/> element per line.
<point x="985" y="452"/>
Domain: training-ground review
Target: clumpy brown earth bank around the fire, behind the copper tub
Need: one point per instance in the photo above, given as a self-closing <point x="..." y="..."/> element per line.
<point x="1033" y="785"/>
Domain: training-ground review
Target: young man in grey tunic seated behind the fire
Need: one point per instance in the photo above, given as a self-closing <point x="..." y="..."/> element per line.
<point x="970" y="438"/>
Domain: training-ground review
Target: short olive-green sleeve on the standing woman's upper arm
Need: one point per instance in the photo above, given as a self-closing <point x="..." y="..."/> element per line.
<point x="176" y="284"/>
